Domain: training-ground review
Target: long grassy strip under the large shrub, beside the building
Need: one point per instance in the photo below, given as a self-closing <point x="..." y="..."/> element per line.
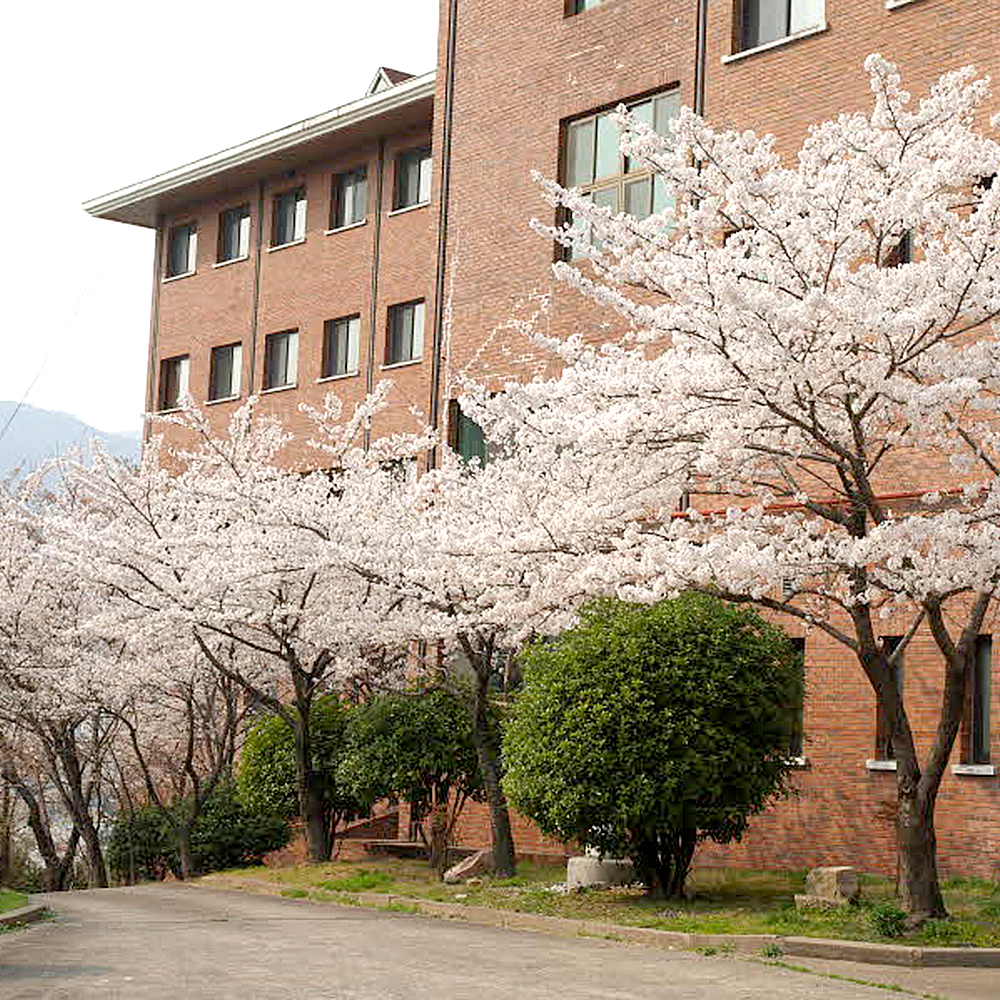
<point x="721" y="901"/>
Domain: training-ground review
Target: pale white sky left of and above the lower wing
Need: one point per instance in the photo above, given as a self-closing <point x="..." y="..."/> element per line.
<point x="99" y="95"/>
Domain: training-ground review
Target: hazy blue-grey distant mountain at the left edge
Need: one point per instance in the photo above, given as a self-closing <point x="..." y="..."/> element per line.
<point x="36" y="435"/>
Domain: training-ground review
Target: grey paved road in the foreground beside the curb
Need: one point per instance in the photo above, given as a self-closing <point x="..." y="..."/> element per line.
<point x="176" y="942"/>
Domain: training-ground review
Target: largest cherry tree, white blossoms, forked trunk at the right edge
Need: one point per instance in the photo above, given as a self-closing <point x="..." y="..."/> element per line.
<point x="803" y="415"/>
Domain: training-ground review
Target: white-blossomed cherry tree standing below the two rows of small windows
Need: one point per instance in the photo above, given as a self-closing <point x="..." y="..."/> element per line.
<point x="202" y="548"/>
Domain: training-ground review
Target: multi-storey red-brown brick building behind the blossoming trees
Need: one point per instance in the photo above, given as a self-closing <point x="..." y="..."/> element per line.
<point x="320" y="256"/>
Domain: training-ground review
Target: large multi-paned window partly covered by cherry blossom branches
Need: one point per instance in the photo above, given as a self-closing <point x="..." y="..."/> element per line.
<point x="593" y="162"/>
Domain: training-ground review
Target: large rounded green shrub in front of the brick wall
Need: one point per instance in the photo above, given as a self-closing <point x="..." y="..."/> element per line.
<point x="647" y="728"/>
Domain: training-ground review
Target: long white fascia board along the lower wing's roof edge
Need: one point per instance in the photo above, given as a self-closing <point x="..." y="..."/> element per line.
<point x="408" y="92"/>
